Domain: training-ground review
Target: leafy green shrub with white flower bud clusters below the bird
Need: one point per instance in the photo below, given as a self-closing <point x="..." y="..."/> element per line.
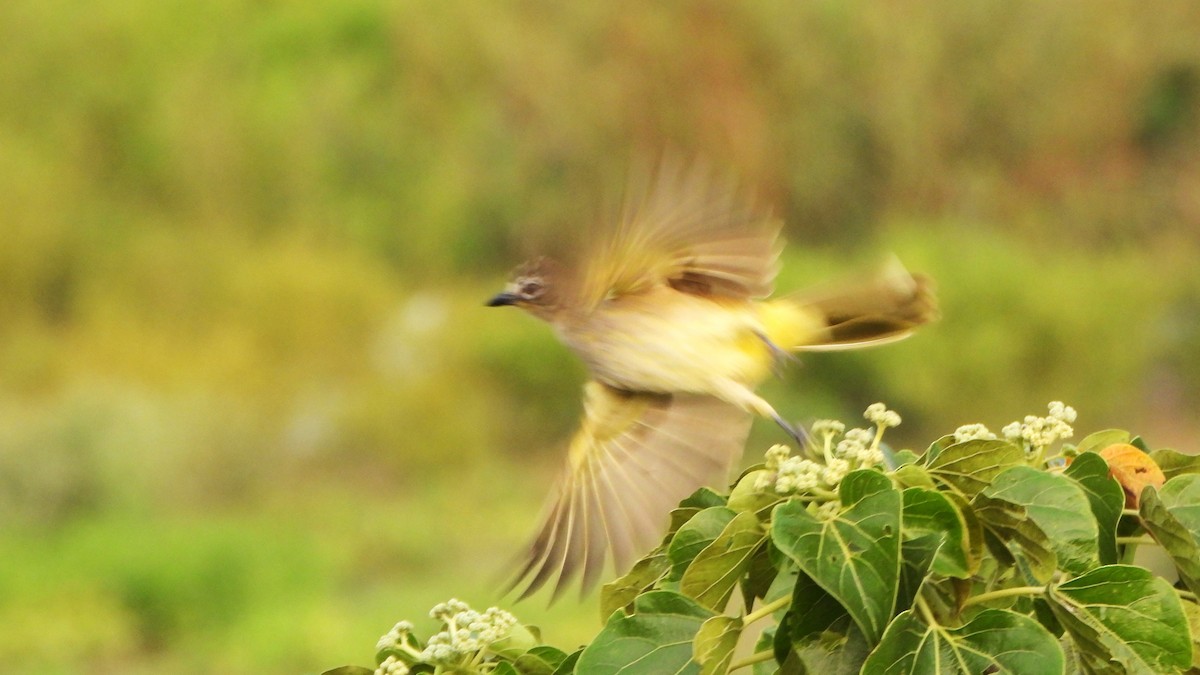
<point x="1006" y="554"/>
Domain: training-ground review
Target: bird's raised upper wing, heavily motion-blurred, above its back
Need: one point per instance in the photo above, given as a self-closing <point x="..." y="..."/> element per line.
<point x="685" y="226"/>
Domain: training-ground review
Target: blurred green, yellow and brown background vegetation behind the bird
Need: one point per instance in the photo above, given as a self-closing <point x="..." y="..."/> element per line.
<point x="253" y="410"/>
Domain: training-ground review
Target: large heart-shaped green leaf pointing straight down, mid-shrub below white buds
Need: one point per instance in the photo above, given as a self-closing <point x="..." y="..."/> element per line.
<point x="855" y="555"/>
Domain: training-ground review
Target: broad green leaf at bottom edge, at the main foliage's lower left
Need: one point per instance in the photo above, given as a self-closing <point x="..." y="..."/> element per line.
<point x="656" y="640"/>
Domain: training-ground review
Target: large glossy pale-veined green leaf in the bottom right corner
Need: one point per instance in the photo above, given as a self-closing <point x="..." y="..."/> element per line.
<point x="1125" y="620"/>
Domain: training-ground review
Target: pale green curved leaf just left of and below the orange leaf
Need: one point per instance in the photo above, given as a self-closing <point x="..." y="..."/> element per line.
<point x="1060" y="509"/>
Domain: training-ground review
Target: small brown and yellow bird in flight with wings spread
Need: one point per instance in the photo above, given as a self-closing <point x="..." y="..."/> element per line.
<point x="670" y="310"/>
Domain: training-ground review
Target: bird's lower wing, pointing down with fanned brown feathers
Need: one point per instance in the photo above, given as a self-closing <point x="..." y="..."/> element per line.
<point x="635" y="457"/>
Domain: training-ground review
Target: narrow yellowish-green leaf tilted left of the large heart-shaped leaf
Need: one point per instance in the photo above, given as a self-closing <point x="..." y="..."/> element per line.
<point x="716" y="570"/>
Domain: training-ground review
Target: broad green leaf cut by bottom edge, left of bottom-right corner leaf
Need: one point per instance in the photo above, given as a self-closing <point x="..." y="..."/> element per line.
<point x="995" y="641"/>
